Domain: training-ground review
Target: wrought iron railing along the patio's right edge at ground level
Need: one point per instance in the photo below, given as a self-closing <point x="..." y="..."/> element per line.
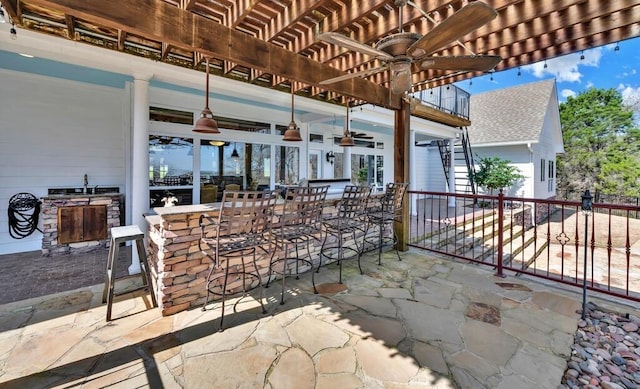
<point x="534" y="237"/>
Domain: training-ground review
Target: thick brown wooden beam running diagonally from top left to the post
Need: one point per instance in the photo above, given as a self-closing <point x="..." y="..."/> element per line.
<point x="188" y="31"/>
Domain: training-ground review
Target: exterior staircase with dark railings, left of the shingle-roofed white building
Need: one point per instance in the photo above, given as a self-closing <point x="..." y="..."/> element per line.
<point x="463" y="159"/>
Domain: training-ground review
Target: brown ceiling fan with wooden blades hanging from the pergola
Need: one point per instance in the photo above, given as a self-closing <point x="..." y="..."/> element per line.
<point x="405" y="52"/>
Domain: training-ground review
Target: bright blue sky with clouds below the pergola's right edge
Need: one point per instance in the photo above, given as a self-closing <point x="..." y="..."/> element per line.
<point x="602" y="67"/>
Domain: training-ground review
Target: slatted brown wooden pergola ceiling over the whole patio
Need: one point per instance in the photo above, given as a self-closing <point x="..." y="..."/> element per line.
<point x="271" y="43"/>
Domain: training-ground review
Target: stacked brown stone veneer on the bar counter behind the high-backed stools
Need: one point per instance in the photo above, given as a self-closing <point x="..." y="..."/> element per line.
<point x="179" y="268"/>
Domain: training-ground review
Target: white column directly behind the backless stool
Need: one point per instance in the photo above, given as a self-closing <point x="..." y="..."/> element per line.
<point x="139" y="159"/>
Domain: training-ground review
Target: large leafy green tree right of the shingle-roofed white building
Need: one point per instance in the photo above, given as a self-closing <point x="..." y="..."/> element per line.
<point x="602" y="146"/>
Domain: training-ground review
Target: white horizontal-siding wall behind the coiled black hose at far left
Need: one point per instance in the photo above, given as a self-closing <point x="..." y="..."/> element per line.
<point x="54" y="132"/>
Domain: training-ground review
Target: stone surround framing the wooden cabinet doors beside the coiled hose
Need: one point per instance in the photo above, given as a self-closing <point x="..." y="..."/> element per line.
<point x="49" y="217"/>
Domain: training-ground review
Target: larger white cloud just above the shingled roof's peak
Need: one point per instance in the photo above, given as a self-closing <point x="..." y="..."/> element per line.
<point x="565" y="68"/>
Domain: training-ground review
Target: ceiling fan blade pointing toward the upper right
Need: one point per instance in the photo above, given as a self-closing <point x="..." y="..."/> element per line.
<point x="468" y="18"/>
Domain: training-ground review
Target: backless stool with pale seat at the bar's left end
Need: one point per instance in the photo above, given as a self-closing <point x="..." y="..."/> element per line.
<point x="121" y="235"/>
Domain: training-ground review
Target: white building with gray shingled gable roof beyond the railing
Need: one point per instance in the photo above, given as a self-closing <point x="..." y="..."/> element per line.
<point x="520" y="124"/>
